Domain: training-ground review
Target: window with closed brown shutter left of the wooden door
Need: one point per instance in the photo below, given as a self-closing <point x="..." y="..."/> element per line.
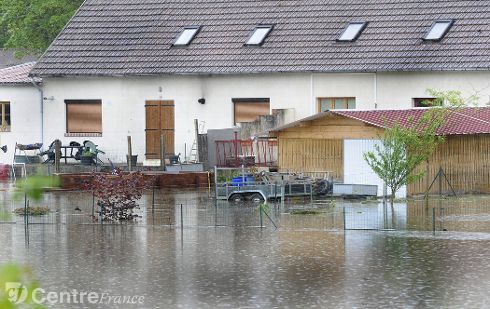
<point x="83" y="116"/>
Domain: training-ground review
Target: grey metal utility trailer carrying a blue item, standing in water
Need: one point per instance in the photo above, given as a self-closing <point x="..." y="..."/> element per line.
<point x="258" y="190"/>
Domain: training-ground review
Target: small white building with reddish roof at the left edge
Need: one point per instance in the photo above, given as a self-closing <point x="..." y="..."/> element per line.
<point x="20" y="109"/>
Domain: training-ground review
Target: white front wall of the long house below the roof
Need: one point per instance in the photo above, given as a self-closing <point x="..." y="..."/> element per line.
<point x="123" y="99"/>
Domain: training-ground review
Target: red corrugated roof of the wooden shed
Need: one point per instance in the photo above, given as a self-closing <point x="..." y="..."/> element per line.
<point x="465" y="121"/>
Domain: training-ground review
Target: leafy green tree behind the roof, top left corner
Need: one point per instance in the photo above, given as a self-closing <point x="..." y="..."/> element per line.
<point x="31" y="25"/>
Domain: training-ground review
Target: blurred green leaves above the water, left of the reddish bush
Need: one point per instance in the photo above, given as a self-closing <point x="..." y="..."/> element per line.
<point x="34" y="186"/>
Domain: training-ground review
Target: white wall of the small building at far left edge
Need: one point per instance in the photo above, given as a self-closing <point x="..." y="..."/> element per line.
<point x="25" y="113"/>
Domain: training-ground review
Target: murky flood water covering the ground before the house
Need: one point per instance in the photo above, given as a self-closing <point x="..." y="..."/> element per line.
<point x="205" y="255"/>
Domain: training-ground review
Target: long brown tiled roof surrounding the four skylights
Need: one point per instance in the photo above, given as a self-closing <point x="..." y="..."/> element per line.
<point x="134" y="37"/>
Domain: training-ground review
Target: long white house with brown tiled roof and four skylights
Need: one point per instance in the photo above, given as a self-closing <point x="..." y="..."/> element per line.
<point x="145" y="68"/>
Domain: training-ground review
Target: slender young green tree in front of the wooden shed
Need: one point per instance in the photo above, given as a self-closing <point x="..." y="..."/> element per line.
<point x="404" y="147"/>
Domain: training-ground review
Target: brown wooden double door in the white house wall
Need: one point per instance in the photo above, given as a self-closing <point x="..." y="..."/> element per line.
<point x="159" y="120"/>
